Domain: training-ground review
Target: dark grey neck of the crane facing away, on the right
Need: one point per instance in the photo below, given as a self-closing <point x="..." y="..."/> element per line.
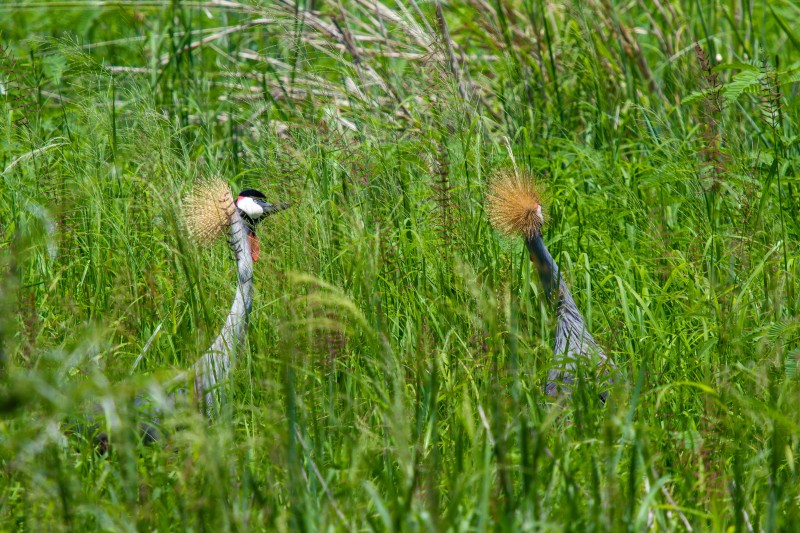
<point x="573" y="343"/>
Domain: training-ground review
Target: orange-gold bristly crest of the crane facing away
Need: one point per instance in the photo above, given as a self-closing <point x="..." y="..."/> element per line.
<point x="514" y="203"/>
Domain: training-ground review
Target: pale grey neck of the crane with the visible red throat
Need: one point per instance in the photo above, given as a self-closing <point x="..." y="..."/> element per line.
<point x="212" y="367"/>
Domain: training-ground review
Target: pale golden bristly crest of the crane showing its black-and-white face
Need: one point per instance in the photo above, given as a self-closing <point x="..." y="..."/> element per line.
<point x="209" y="207"/>
